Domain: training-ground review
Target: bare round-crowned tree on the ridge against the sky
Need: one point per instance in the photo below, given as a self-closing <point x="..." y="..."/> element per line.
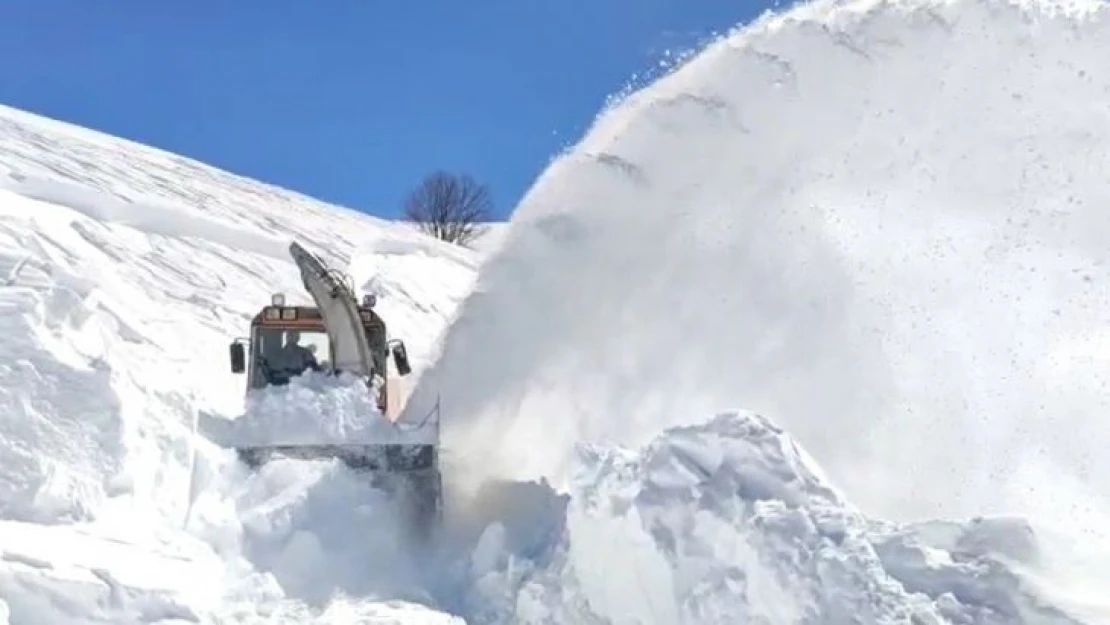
<point x="449" y="207"/>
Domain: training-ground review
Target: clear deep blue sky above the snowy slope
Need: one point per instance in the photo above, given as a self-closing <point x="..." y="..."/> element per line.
<point x="352" y="102"/>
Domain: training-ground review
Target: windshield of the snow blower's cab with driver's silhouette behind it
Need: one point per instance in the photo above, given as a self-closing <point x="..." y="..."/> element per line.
<point x="281" y="355"/>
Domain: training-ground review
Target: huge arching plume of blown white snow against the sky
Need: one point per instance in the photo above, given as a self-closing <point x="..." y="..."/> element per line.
<point x="883" y="224"/>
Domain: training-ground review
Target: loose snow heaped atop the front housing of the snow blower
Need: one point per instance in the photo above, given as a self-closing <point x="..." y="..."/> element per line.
<point x="316" y="408"/>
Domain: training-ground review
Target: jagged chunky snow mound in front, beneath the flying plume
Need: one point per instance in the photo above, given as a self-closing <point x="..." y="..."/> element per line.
<point x="730" y="521"/>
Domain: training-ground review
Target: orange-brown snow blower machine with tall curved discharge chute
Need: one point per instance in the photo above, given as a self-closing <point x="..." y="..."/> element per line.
<point x="341" y="335"/>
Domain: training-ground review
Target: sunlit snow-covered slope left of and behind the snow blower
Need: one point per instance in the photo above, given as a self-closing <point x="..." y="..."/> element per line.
<point x="126" y="273"/>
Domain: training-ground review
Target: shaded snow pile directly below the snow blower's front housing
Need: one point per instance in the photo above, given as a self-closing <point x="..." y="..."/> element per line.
<point x="319" y="529"/>
